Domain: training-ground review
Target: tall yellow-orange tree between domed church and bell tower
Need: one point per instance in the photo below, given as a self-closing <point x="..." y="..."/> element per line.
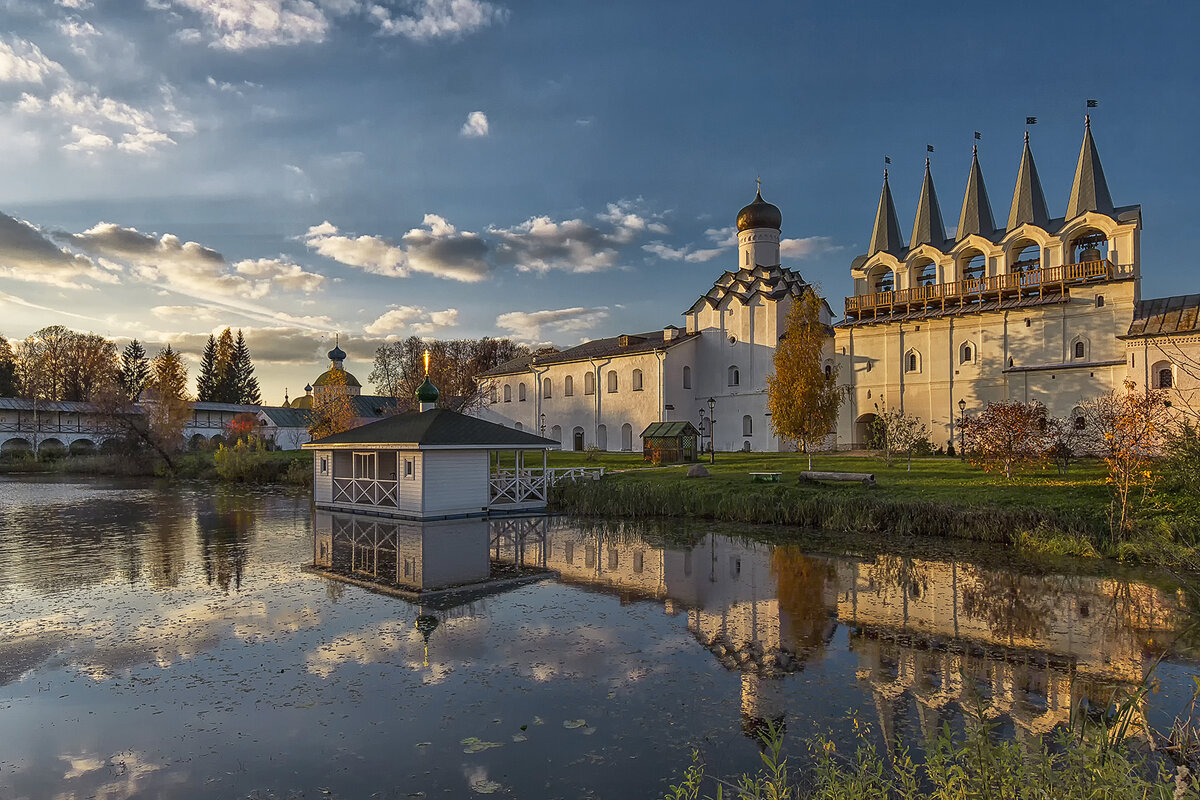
<point x="802" y="399"/>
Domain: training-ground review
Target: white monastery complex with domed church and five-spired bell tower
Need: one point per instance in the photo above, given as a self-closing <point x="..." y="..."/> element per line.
<point x="939" y="326"/>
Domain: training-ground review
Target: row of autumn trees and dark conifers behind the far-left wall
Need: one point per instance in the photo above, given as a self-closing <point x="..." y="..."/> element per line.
<point x="58" y="364"/>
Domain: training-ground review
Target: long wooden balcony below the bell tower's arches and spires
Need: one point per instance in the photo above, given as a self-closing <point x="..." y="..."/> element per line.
<point x="944" y="297"/>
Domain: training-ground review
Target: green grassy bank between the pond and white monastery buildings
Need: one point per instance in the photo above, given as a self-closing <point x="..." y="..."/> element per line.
<point x="1037" y="510"/>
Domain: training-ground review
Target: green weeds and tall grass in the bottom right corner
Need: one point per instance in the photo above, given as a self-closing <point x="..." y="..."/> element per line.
<point x="1070" y="765"/>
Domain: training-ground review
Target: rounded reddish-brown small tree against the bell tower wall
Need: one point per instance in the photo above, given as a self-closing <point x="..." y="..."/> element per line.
<point x="1007" y="435"/>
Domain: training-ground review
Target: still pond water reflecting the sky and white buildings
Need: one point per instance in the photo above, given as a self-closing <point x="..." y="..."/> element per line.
<point x="166" y="642"/>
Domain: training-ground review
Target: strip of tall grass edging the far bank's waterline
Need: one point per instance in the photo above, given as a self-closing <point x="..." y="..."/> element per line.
<point x="785" y="506"/>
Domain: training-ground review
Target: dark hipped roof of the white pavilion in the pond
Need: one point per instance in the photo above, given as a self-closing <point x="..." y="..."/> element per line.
<point x="439" y="428"/>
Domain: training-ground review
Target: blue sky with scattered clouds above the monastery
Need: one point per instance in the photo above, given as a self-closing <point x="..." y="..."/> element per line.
<point x="545" y="171"/>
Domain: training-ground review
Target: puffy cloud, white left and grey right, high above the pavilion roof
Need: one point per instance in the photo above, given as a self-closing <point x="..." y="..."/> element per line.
<point x="439" y="250"/>
